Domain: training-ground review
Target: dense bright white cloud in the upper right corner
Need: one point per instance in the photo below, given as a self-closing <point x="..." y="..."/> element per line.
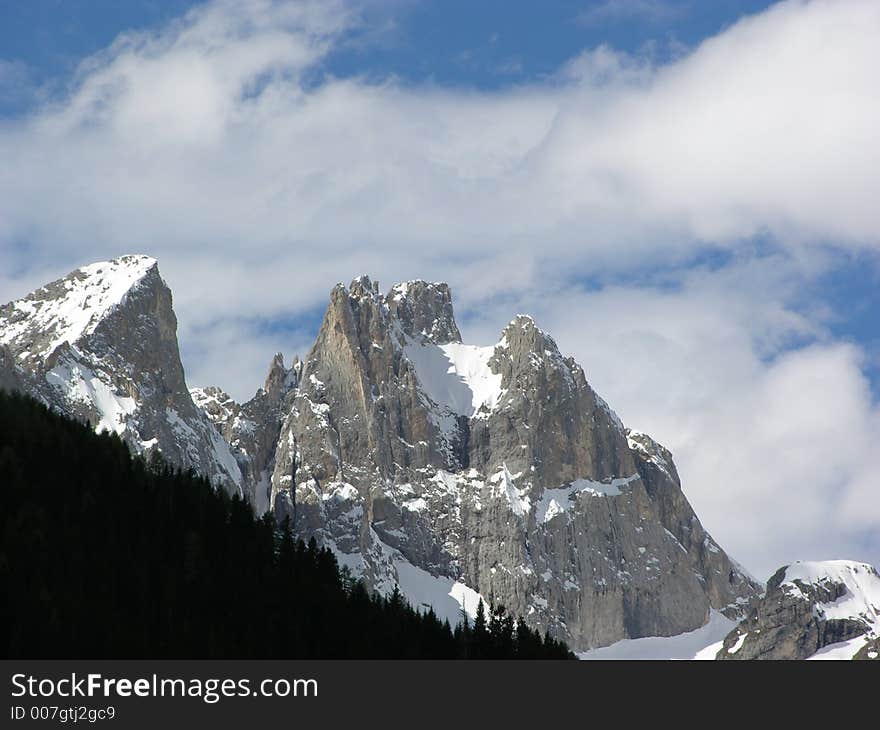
<point x="770" y="124"/>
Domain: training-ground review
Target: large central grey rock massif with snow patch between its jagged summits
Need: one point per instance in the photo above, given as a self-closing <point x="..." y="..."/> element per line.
<point x="498" y="467"/>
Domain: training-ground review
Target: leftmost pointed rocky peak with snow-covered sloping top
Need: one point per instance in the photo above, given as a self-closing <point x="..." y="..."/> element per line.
<point x="101" y="345"/>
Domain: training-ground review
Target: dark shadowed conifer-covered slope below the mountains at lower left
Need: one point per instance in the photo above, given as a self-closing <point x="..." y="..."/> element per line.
<point x="105" y="556"/>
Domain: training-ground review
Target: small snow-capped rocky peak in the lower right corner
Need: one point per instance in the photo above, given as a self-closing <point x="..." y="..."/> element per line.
<point x="811" y="610"/>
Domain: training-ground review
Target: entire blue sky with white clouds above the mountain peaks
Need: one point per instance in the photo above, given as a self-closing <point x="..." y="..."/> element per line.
<point x="683" y="193"/>
